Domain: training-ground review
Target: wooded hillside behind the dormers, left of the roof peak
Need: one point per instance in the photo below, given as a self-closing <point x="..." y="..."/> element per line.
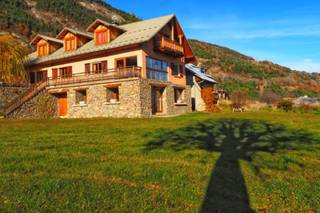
<point x="27" y="17"/>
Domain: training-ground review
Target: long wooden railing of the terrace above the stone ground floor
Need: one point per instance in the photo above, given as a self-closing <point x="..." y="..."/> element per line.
<point x="119" y="73"/>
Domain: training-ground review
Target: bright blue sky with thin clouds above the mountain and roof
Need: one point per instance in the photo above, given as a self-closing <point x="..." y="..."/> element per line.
<point x="286" y="32"/>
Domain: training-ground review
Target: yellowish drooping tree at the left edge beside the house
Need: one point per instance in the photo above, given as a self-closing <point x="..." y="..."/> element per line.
<point x="12" y="54"/>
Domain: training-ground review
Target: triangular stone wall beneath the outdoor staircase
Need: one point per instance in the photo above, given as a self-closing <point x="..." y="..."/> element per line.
<point x="43" y="105"/>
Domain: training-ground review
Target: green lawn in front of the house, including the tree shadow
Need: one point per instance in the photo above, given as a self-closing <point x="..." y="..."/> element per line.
<point x="234" y="162"/>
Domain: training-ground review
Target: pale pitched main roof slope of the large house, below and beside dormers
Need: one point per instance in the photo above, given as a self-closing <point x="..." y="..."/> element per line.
<point x="135" y="33"/>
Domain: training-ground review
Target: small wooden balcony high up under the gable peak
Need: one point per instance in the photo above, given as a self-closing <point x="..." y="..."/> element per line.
<point x="170" y="47"/>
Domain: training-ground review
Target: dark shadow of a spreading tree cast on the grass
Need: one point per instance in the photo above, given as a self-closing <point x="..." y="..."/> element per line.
<point x="235" y="139"/>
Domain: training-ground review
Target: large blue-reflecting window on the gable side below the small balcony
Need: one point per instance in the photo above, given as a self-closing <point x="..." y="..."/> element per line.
<point x="157" y="69"/>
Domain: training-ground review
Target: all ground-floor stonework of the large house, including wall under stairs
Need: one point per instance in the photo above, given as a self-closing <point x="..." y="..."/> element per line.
<point x="134" y="101"/>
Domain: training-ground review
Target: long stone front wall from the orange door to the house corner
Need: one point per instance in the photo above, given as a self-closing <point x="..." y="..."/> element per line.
<point x="132" y="101"/>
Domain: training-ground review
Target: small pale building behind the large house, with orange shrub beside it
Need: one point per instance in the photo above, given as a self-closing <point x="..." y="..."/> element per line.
<point x="203" y="95"/>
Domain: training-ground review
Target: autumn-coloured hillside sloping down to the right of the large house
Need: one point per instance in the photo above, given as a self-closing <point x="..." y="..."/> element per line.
<point x="236" y="71"/>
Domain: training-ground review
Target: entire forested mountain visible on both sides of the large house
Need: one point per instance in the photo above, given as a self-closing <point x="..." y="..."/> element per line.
<point x="233" y="70"/>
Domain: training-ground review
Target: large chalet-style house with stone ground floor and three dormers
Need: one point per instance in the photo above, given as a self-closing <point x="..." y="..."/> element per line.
<point x="131" y="70"/>
